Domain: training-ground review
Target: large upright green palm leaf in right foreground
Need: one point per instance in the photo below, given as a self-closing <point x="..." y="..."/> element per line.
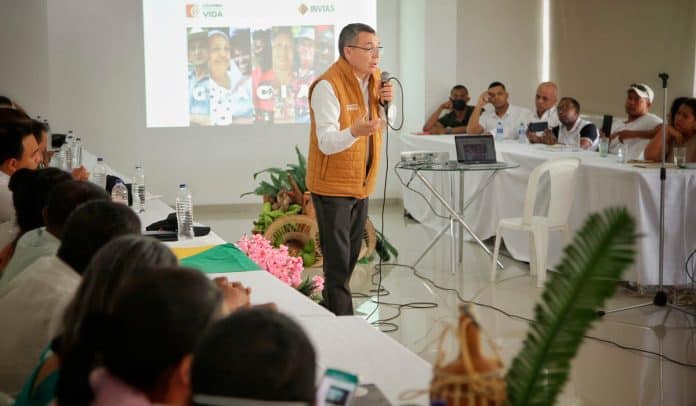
<point x="588" y="275"/>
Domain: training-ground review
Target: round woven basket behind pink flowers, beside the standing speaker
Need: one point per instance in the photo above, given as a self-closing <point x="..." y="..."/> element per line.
<point x="295" y="231"/>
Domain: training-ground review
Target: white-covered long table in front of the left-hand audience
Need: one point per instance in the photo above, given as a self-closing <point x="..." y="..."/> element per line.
<point x="348" y="343"/>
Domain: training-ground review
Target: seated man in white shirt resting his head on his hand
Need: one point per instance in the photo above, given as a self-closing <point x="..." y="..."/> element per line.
<point x="504" y="120"/>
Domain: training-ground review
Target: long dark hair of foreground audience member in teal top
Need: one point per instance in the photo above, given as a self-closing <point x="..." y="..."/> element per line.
<point x="118" y="263"/>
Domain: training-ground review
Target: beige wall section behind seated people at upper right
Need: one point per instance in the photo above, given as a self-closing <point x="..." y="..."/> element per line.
<point x="600" y="47"/>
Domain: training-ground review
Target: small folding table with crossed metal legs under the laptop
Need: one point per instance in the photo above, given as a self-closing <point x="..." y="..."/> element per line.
<point x="455" y="214"/>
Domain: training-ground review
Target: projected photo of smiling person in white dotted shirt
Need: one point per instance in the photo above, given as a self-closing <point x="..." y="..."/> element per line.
<point x="223" y="96"/>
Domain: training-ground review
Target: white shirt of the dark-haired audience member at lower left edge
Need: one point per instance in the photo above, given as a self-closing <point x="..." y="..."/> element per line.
<point x="29" y="303"/>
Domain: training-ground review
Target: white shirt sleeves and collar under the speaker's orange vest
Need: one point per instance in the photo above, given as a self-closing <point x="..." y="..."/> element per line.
<point x="327" y="111"/>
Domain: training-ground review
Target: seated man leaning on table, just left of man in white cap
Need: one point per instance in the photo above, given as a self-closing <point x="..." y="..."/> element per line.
<point x="572" y="131"/>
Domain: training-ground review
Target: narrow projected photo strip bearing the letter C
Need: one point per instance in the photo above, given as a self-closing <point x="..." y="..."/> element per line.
<point x="262" y="75"/>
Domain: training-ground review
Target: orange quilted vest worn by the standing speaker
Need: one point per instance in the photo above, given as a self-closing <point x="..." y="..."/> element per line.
<point x="346" y="173"/>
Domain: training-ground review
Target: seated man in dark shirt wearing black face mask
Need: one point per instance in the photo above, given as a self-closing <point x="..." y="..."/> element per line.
<point x="456" y="120"/>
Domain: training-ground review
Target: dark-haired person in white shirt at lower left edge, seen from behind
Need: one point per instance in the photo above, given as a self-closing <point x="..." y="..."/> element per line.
<point x="33" y="302"/>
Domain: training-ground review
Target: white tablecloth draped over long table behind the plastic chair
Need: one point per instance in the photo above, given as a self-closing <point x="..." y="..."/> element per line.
<point x="601" y="183"/>
